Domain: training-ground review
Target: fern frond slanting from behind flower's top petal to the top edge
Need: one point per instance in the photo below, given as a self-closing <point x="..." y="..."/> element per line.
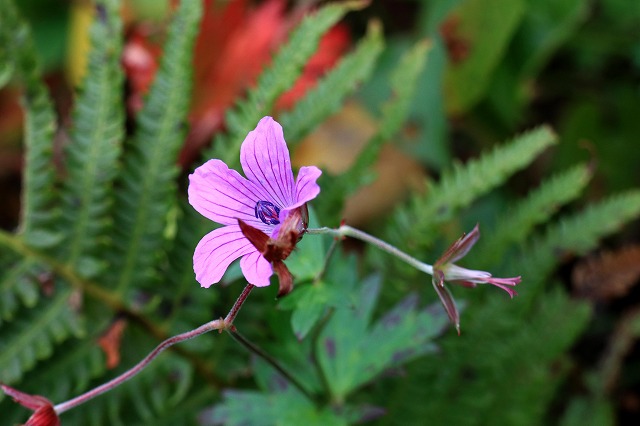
<point x="275" y="80"/>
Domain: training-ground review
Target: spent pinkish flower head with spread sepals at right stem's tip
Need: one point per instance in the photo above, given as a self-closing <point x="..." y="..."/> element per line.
<point x="445" y="270"/>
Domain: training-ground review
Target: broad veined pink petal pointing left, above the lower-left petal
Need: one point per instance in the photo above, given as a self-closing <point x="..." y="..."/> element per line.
<point x="223" y="196"/>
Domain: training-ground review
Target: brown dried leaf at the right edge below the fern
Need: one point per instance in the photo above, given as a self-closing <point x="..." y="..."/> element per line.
<point x="609" y="276"/>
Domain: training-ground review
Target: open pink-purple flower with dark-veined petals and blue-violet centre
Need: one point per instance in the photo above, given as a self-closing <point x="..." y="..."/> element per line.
<point x="263" y="201"/>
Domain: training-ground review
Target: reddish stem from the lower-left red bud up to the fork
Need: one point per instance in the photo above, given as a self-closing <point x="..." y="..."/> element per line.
<point x="81" y="399"/>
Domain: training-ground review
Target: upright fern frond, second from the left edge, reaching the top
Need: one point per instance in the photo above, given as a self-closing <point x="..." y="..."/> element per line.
<point x="96" y="138"/>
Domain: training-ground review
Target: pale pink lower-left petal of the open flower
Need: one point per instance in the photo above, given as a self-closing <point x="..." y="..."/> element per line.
<point x="216" y="251"/>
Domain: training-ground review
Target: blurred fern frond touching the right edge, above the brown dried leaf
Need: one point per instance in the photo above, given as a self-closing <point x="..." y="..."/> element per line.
<point x="576" y="234"/>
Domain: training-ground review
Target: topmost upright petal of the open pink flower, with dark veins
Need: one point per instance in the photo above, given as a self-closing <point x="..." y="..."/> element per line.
<point x="265" y="160"/>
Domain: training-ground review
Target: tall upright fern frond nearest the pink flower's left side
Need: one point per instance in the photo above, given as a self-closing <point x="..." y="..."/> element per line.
<point x="148" y="177"/>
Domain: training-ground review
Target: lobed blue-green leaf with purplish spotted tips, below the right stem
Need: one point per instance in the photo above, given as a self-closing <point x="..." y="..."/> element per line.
<point x="352" y="355"/>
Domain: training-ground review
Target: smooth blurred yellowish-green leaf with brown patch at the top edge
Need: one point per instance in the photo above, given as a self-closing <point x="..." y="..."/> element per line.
<point x="486" y="26"/>
